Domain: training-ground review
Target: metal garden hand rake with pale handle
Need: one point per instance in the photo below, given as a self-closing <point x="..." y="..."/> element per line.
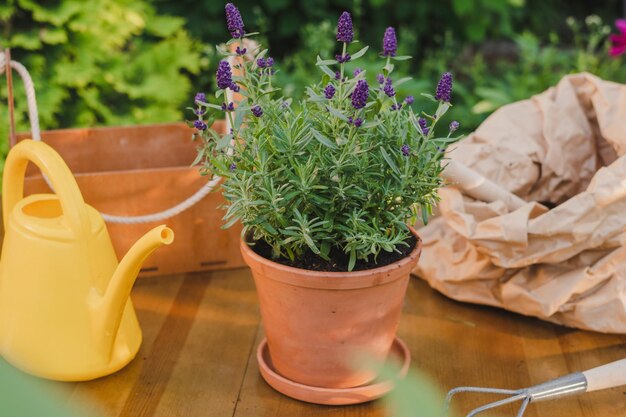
<point x="602" y="377"/>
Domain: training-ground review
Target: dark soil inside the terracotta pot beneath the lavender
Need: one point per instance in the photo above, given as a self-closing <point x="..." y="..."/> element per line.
<point x="338" y="259"/>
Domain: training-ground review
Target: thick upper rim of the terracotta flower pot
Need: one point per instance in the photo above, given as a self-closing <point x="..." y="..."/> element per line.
<point x="333" y="280"/>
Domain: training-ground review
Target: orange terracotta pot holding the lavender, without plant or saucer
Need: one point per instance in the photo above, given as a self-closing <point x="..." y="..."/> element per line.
<point x="315" y="322"/>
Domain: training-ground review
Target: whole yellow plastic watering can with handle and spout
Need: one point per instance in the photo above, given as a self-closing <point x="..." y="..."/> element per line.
<point x="65" y="311"/>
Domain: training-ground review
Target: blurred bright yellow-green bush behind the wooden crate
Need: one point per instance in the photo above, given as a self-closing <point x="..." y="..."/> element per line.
<point x="97" y="62"/>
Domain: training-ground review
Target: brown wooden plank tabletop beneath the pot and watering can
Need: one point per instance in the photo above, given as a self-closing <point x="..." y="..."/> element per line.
<point x="201" y="332"/>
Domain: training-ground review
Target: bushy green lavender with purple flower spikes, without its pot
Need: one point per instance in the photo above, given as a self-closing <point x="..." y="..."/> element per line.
<point x="340" y="172"/>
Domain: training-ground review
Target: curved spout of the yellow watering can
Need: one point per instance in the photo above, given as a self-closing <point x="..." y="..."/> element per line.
<point x="111" y="307"/>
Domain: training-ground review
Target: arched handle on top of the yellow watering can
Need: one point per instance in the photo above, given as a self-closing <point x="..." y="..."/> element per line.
<point x="53" y="166"/>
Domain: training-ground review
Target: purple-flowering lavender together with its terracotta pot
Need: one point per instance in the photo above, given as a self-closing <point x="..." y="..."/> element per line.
<point x="324" y="189"/>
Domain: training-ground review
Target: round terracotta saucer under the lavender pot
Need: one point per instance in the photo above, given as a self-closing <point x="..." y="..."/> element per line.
<point x="331" y="396"/>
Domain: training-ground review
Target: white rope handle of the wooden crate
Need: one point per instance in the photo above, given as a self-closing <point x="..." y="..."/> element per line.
<point x="148" y="218"/>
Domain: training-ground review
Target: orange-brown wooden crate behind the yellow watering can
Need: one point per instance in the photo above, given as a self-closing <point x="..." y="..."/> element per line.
<point x="141" y="170"/>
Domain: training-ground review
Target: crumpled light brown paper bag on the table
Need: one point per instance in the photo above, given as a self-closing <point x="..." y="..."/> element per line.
<point x="563" y="148"/>
